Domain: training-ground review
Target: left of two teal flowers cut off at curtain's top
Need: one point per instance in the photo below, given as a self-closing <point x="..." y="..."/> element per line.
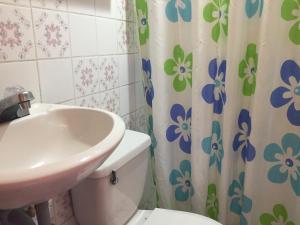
<point x="181" y="7"/>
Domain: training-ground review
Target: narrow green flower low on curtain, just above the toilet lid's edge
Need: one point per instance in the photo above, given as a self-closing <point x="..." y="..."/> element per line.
<point x="212" y="202"/>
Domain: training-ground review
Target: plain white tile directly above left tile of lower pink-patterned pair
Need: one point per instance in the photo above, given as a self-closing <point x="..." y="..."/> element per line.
<point x="83" y="35"/>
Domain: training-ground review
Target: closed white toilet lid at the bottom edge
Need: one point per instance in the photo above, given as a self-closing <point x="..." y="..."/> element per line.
<point x="167" y="217"/>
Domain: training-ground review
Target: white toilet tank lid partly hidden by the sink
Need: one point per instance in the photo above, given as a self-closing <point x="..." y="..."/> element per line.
<point x="132" y="144"/>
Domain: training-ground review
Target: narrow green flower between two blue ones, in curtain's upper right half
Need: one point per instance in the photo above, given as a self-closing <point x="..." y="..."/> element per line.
<point x="247" y="70"/>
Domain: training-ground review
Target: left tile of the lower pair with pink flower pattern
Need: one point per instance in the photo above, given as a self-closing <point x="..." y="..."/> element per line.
<point x="86" y="76"/>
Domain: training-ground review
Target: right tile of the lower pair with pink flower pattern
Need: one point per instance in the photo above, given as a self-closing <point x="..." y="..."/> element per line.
<point x="109" y="77"/>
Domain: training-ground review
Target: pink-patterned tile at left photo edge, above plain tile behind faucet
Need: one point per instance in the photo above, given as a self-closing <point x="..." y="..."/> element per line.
<point x="16" y="36"/>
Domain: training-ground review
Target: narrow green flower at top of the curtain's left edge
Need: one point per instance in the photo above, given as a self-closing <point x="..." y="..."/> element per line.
<point x="143" y="25"/>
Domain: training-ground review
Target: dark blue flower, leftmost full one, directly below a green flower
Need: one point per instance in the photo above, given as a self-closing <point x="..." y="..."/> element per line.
<point x="181" y="129"/>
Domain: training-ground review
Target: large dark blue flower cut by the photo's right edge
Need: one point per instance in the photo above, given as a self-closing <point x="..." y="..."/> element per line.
<point x="289" y="94"/>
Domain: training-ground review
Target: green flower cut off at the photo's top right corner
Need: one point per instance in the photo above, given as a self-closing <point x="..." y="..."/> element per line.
<point x="290" y="11"/>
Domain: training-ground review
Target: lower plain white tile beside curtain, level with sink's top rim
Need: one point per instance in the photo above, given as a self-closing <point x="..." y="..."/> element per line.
<point x="127" y="99"/>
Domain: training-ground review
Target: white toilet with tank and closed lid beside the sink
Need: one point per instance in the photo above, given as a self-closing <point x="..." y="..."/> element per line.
<point x="110" y="195"/>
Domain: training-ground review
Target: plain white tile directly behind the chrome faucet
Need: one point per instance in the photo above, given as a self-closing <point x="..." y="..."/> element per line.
<point x="20" y="73"/>
